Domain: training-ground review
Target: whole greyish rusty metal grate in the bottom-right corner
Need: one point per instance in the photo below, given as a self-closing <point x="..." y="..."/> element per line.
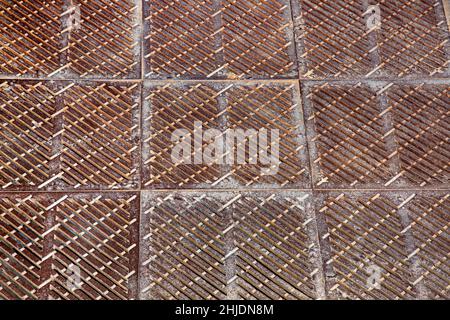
<point x="395" y="235"/>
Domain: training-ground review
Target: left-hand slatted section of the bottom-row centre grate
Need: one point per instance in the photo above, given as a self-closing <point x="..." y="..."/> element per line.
<point x="184" y="246"/>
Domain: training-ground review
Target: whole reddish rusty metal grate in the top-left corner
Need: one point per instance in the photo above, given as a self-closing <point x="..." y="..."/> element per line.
<point x="41" y="39"/>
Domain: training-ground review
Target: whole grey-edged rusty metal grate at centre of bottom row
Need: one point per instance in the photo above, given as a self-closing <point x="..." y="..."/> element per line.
<point x="251" y="246"/>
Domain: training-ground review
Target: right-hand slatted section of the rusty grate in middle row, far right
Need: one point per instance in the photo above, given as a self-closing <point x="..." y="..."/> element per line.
<point x="422" y="130"/>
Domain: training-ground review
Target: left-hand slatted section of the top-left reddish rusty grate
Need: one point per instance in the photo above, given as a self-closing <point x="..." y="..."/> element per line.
<point x="31" y="37"/>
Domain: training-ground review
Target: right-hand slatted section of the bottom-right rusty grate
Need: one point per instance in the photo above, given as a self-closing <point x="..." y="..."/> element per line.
<point x="429" y="216"/>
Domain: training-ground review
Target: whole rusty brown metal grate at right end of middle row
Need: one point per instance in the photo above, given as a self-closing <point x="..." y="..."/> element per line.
<point x="382" y="135"/>
